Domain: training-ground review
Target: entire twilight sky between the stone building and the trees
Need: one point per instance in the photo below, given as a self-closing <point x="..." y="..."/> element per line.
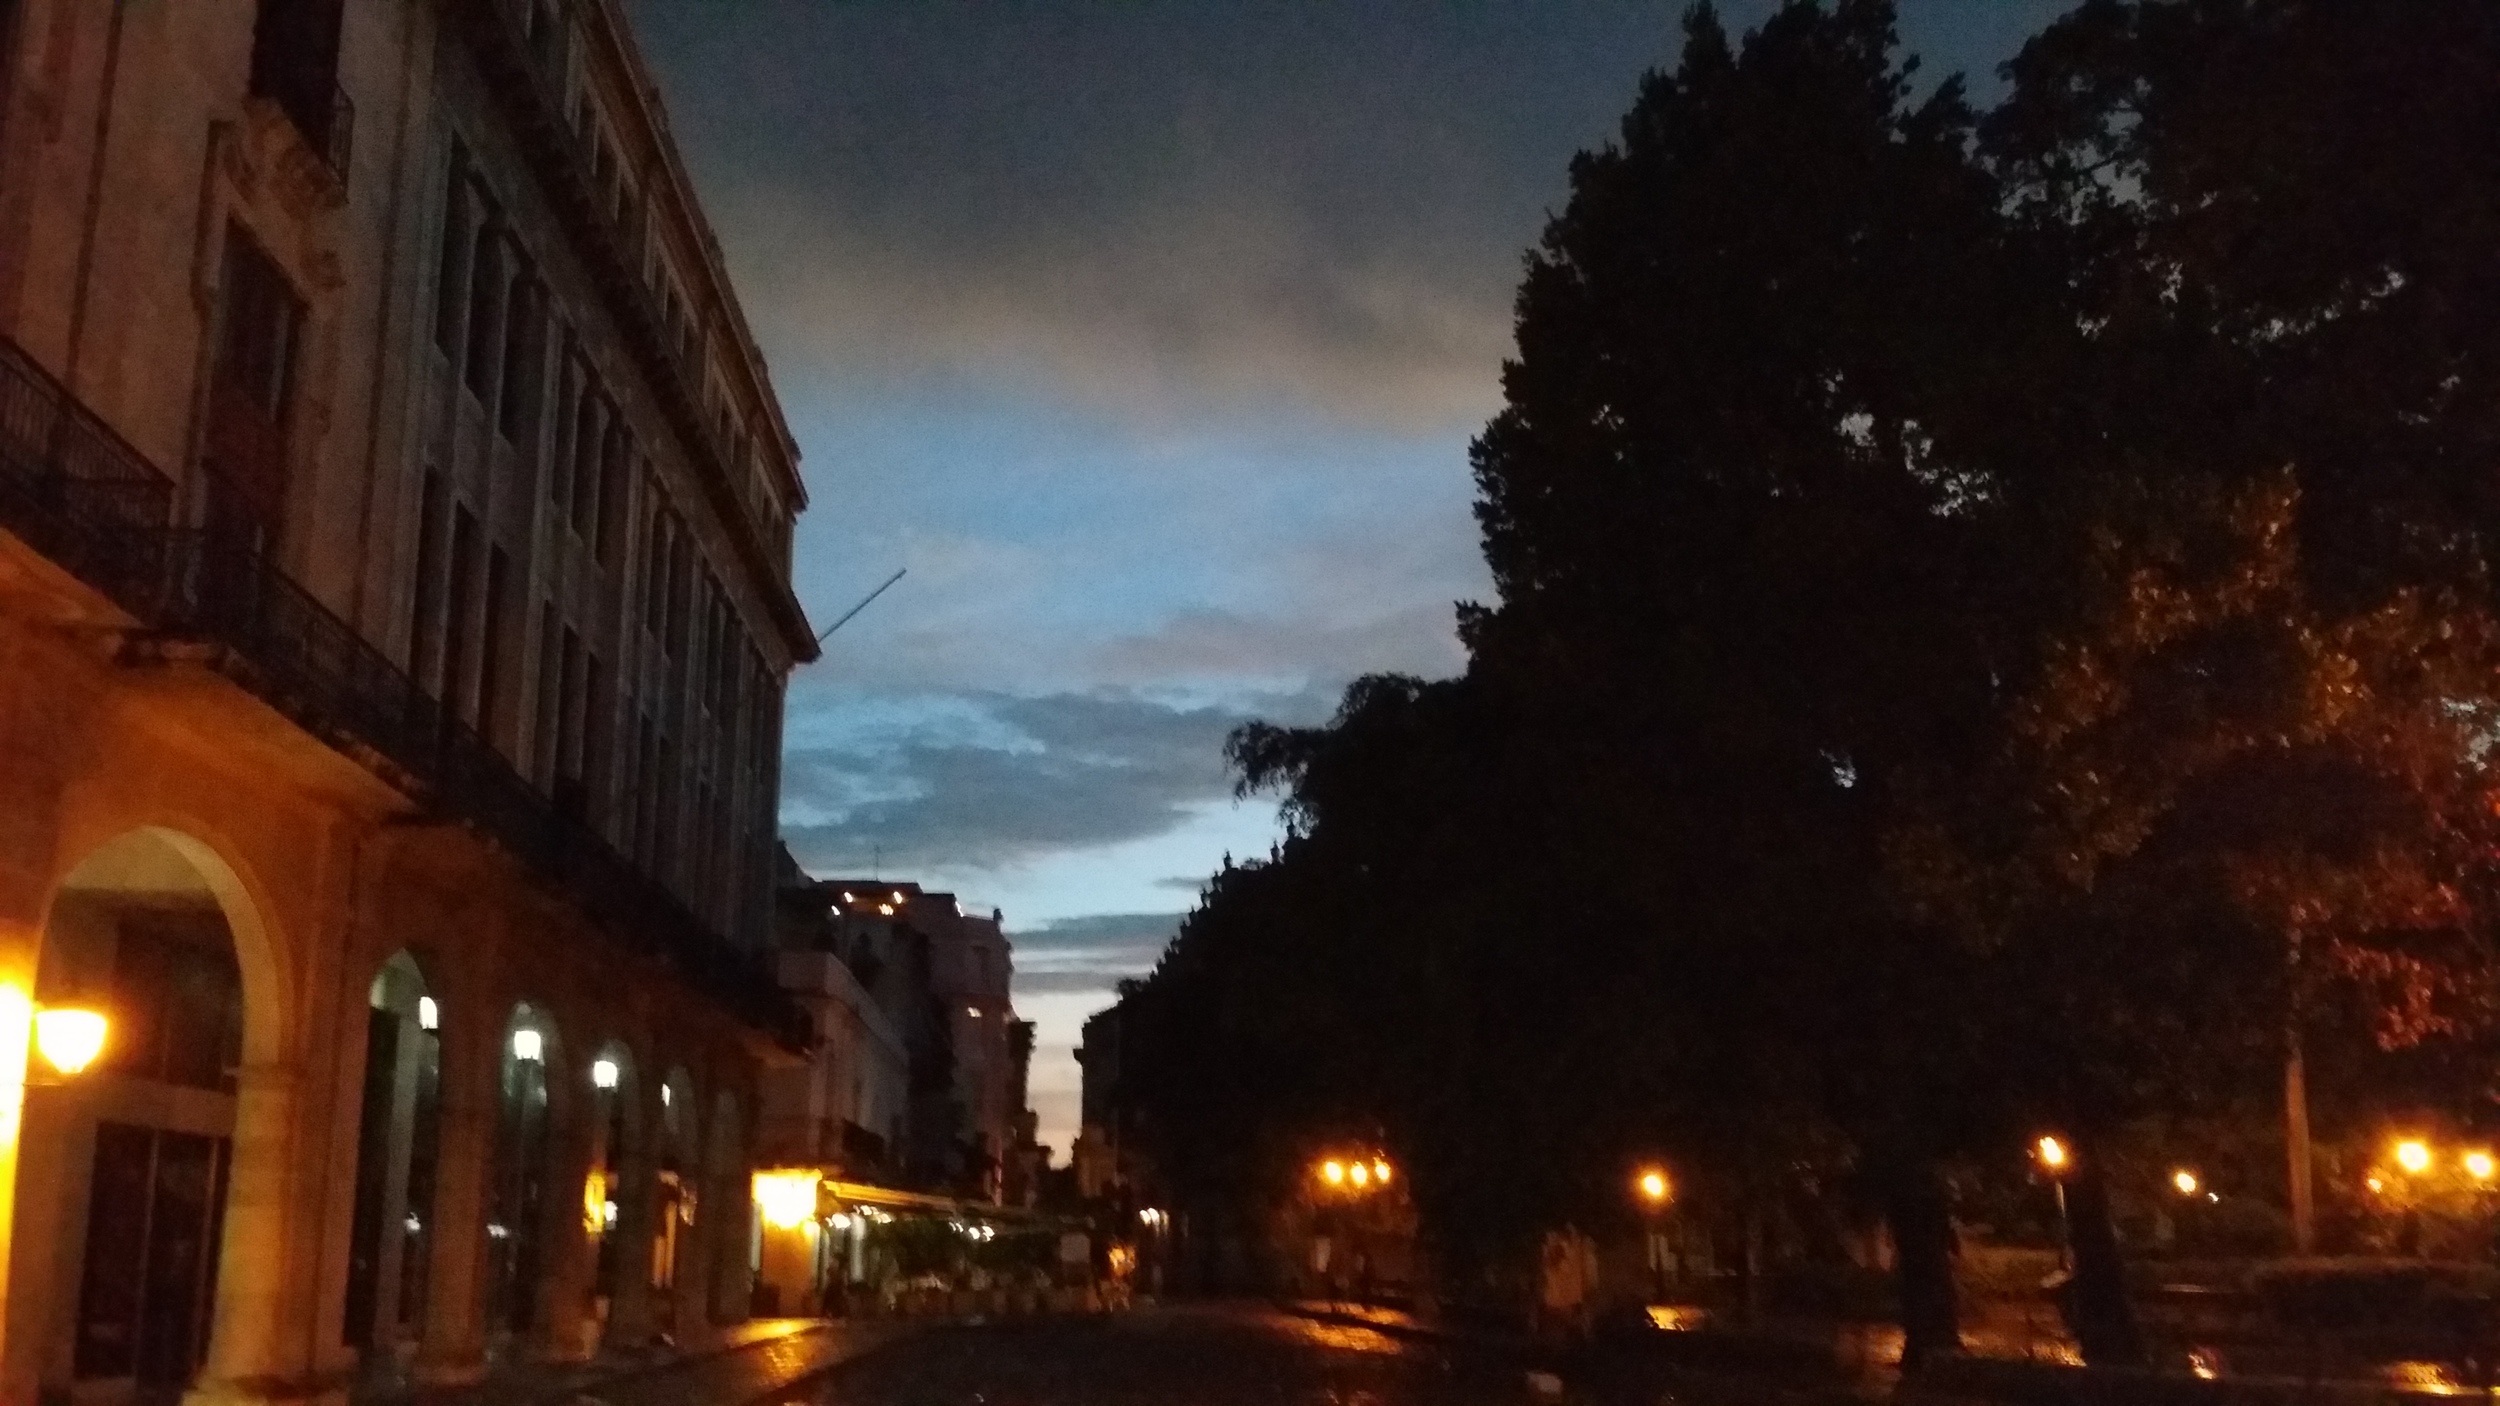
<point x="1149" y="336"/>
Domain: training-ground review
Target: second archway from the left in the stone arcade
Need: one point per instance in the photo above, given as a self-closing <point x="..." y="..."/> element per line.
<point x="399" y="1152"/>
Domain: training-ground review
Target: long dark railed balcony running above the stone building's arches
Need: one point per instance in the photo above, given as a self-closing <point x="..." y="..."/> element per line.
<point x="101" y="512"/>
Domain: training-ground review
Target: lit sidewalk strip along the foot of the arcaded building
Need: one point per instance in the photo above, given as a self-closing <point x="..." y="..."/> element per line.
<point x="749" y="1365"/>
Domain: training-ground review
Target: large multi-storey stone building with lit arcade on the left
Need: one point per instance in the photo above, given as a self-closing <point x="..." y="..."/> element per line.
<point x="394" y="632"/>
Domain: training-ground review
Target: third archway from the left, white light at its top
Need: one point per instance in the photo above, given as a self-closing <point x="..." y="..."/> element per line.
<point x="516" y="1225"/>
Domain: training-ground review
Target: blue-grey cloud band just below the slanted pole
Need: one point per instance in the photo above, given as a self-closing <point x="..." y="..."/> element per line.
<point x="991" y="779"/>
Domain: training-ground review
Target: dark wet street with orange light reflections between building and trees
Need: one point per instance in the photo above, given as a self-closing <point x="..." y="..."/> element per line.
<point x="1181" y="1357"/>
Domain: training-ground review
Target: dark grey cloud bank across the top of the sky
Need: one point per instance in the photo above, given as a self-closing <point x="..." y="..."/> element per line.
<point x="1169" y="206"/>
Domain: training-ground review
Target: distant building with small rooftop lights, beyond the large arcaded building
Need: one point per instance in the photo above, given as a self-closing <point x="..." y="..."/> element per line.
<point x="931" y="1077"/>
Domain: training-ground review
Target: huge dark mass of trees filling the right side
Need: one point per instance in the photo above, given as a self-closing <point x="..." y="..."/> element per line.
<point x="1994" y="629"/>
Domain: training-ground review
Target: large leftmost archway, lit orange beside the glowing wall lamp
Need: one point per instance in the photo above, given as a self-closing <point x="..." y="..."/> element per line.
<point x="124" y="1172"/>
